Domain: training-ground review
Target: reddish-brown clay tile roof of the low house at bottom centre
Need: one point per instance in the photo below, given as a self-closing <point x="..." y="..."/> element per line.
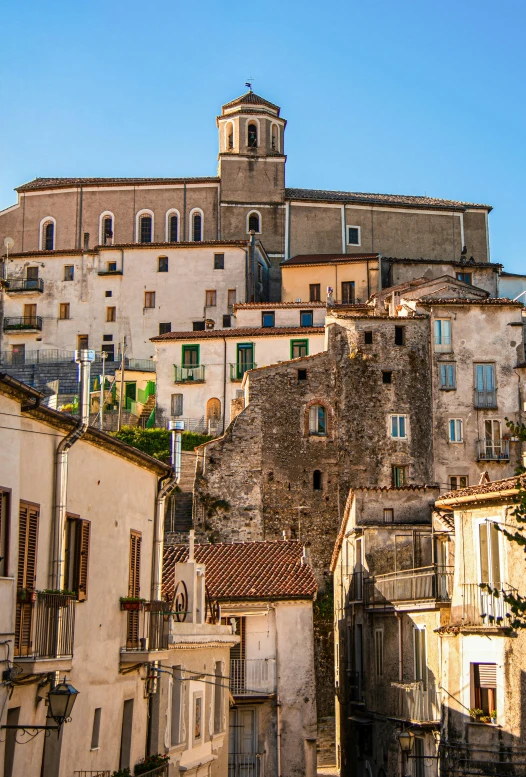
<point x="247" y="570"/>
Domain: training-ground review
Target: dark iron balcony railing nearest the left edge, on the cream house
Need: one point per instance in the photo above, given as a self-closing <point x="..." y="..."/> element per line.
<point x="45" y="628"/>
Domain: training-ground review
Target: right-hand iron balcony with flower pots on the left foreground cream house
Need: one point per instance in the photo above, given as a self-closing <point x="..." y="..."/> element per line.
<point x="147" y="632"/>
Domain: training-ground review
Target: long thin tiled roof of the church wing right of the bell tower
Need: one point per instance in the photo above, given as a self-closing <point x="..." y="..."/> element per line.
<point x="381" y="199"/>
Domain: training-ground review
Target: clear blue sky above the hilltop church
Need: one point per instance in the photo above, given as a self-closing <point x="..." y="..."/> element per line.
<point x="393" y="96"/>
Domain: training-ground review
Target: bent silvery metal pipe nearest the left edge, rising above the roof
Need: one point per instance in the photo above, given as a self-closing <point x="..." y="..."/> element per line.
<point x="83" y="359"/>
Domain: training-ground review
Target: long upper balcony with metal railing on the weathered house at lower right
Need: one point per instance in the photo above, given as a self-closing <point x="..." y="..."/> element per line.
<point x="409" y="589"/>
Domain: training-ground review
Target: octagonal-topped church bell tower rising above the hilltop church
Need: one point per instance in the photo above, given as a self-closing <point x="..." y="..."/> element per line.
<point x="252" y="171"/>
